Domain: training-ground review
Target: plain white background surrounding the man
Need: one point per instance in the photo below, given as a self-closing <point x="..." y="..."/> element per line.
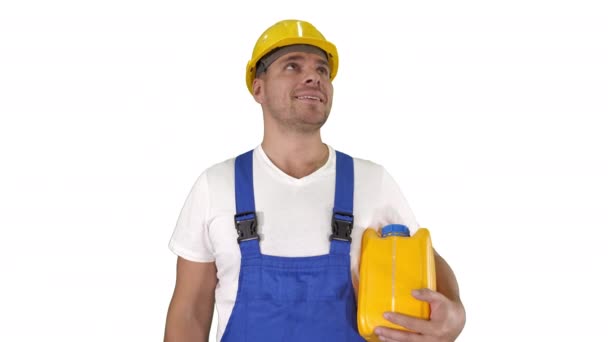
<point x="490" y="115"/>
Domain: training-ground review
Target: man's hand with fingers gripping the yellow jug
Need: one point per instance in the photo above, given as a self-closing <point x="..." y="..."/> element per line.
<point x="445" y="324"/>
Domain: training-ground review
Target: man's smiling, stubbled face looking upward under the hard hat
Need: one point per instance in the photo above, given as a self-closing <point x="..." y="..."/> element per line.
<point x="296" y="91"/>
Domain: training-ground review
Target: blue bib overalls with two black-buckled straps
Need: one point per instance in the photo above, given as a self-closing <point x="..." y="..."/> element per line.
<point x="294" y="298"/>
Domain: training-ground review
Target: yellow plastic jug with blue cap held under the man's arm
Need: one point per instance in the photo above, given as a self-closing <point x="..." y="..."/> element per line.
<point x="392" y="264"/>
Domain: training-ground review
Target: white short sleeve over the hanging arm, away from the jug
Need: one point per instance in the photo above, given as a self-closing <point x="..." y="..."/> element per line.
<point x="190" y="239"/>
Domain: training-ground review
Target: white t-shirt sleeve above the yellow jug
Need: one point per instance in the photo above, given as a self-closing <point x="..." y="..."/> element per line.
<point x="398" y="207"/>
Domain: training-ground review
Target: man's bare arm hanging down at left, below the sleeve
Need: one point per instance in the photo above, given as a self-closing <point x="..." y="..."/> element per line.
<point x="191" y="308"/>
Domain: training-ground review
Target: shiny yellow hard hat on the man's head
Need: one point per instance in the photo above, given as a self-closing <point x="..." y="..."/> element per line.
<point x="290" y="32"/>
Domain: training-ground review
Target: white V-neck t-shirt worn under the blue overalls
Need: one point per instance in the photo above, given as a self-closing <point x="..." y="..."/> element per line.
<point x="294" y="217"/>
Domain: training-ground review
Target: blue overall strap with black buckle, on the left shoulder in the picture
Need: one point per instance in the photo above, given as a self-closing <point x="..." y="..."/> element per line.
<point x="245" y="220"/>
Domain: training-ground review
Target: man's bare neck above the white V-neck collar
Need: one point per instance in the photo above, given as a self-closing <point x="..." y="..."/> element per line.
<point x="298" y="156"/>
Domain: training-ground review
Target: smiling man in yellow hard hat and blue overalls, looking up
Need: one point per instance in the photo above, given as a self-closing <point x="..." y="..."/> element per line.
<point x="273" y="236"/>
